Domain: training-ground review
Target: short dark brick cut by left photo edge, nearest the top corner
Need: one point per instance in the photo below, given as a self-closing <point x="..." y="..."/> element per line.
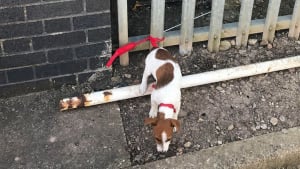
<point x="11" y="15"/>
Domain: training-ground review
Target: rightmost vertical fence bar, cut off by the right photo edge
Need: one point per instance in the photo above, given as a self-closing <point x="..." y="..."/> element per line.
<point x="295" y="23"/>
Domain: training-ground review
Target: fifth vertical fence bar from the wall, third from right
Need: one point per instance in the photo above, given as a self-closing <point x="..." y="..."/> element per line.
<point x="244" y="23"/>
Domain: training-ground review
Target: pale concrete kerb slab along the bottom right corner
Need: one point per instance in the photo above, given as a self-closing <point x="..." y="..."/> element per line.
<point x="274" y="150"/>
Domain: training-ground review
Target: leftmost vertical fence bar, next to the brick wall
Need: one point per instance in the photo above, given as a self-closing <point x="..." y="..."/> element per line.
<point x="123" y="29"/>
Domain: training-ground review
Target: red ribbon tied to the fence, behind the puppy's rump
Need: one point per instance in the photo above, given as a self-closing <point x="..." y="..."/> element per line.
<point x="131" y="45"/>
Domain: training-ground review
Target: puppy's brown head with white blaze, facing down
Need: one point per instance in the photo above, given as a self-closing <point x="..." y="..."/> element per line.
<point x="163" y="130"/>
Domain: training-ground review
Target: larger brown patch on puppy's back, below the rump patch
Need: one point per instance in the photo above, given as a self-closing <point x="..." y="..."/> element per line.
<point x="164" y="75"/>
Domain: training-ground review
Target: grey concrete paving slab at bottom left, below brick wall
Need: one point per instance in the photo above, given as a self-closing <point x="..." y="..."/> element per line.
<point x="35" y="134"/>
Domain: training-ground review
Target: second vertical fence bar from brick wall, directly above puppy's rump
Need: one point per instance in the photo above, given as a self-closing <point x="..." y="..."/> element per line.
<point x="157" y="19"/>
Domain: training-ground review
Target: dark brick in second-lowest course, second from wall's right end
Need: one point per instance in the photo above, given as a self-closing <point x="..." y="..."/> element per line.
<point x="73" y="66"/>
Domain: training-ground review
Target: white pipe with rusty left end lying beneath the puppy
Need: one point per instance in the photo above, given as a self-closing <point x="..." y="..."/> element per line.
<point x="116" y="94"/>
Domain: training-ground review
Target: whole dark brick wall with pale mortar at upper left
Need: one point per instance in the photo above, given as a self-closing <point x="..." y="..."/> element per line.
<point x="48" y="43"/>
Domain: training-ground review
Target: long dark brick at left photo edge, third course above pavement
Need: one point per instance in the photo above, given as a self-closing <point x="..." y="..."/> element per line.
<point x="22" y="60"/>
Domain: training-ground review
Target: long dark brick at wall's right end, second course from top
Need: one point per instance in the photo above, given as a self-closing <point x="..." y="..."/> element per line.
<point x="89" y="21"/>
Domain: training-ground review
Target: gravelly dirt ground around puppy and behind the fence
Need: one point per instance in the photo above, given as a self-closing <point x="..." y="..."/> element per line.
<point x="219" y="113"/>
